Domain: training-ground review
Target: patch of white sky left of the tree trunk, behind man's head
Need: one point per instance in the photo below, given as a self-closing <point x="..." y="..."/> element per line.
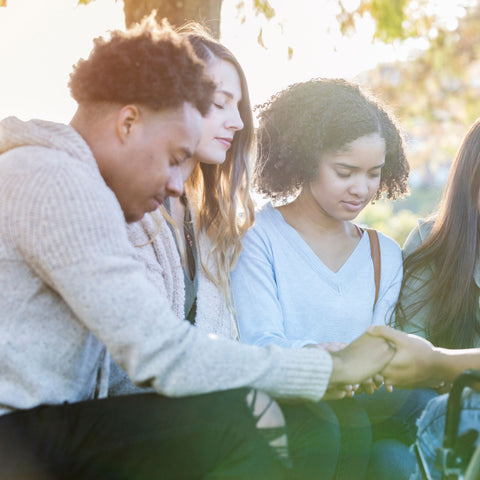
<point x="40" y="41"/>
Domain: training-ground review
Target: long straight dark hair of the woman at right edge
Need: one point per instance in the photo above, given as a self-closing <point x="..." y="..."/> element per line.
<point x="450" y="251"/>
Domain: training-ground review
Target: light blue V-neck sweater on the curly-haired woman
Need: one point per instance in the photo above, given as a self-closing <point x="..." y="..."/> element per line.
<point x="285" y="295"/>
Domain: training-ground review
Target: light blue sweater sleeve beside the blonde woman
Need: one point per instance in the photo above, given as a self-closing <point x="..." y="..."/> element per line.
<point x="258" y="308"/>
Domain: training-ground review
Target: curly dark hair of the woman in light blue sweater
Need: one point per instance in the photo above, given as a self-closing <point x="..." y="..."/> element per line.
<point x="308" y="119"/>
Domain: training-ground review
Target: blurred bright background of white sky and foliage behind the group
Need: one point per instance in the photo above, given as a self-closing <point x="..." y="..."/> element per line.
<point x="420" y="57"/>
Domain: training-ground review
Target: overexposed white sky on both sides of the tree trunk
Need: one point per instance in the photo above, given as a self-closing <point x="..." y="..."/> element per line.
<point x="41" y="40"/>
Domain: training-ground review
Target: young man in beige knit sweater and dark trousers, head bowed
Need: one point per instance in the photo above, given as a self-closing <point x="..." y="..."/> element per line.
<point x="72" y="291"/>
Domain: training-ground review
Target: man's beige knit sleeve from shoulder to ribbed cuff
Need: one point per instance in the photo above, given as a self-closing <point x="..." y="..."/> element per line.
<point x="70" y="230"/>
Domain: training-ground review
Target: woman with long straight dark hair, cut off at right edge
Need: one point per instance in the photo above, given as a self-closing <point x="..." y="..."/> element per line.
<point x="439" y="299"/>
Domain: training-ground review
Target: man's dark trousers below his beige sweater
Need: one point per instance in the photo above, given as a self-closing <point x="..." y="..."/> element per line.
<point x="137" y="437"/>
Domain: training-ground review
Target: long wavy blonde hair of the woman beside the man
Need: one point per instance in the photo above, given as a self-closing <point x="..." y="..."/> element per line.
<point x="220" y="194"/>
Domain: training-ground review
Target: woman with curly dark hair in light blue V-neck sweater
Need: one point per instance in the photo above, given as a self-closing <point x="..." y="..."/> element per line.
<point x="306" y="274"/>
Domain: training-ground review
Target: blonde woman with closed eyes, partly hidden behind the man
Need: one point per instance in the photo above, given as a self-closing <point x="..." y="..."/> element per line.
<point x="191" y="247"/>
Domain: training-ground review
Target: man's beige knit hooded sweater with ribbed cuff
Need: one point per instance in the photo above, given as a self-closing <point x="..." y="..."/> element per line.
<point x="71" y="287"/>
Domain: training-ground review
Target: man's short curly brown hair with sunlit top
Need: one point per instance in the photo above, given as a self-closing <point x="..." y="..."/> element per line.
<point x="150" y="65"/>
